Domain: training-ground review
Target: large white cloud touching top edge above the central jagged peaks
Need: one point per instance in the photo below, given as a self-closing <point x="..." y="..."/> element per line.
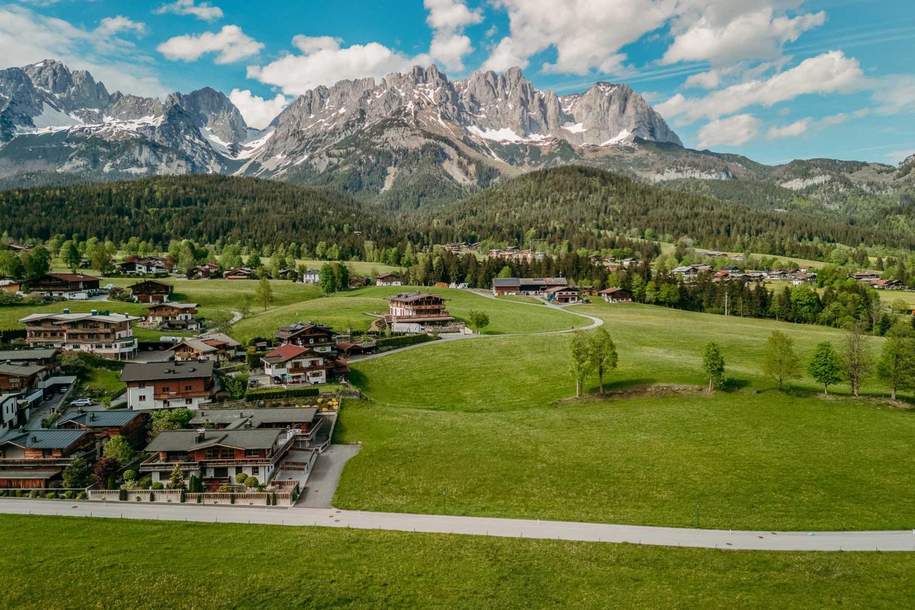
<point x="586" y="34"/>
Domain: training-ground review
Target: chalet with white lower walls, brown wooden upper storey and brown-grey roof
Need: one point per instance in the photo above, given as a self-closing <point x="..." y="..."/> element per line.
<point x="168" y="385"/>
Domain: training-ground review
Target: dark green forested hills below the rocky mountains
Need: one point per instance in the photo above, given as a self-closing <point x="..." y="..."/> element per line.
<point x="584" y="208"/>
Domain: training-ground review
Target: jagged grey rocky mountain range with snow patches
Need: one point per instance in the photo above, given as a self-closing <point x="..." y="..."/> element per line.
<point x="406" y="140"/>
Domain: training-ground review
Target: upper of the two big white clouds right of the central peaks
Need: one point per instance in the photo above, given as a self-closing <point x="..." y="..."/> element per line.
<point x="720" y="33"/>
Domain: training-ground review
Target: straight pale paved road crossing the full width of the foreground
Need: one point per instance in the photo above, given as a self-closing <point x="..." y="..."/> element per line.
<point x="479" y="526"/>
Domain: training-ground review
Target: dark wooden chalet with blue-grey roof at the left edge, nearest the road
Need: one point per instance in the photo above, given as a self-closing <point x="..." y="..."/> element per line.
<point x="34" y="458"/>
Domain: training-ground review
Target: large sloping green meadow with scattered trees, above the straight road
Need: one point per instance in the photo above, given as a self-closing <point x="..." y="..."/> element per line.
<point x="483" y="427"/>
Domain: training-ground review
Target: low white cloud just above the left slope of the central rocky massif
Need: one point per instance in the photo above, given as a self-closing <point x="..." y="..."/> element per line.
<point x="324" y="62"/>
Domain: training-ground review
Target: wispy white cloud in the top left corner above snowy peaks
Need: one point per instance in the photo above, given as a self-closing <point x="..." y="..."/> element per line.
<point x="27" y="37"/>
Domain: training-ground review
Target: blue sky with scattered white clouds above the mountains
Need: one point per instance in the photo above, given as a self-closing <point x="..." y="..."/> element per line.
<point x="772" y="79"/>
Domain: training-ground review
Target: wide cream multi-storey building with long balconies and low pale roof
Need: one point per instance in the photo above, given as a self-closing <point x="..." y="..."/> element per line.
<point x="107" y="334"/>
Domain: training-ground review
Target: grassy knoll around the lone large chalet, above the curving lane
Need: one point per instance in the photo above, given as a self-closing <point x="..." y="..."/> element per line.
<point x="351" y="310"/>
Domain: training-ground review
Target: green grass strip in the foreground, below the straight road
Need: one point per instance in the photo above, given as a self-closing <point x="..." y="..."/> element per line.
<point x="241" y="566"/>
